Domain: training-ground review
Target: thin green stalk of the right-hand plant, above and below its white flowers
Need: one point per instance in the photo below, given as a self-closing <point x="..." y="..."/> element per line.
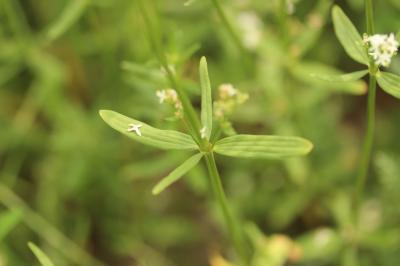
<point x="369" y="135"/>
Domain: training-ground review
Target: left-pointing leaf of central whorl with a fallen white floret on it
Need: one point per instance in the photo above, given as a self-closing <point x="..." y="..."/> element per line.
<point x="163" y="139"/>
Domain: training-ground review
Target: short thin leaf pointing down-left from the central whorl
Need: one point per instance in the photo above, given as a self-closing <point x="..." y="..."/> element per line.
<point x="177" y="173"/>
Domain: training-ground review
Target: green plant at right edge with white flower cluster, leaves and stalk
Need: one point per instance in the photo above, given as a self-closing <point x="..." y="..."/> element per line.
<point x="369" y="52"/>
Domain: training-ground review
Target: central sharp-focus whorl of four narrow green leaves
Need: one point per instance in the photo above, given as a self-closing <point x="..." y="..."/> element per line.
<point x="245" y="146"/>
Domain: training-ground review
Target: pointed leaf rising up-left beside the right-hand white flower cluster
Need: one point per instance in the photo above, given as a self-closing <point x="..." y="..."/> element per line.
<point x="349" y="36"/>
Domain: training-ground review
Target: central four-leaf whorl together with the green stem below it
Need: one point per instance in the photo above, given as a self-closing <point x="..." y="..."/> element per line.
<point x="242" y="146"/>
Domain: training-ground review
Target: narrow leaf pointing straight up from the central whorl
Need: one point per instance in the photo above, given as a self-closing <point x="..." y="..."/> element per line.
<point x="206" y="101"/>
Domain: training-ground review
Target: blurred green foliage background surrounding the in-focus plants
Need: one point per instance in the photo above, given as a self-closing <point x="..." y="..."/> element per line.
<point x="81" y="191"/>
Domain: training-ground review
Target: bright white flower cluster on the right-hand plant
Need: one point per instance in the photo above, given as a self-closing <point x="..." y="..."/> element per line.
<point x="381" y="47"/>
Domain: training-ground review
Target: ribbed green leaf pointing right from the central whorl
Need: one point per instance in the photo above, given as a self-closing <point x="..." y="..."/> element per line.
<point x="262" y="146"/>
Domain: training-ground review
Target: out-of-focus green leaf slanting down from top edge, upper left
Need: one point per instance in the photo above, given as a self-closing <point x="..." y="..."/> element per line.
<point x="69" y="16"/>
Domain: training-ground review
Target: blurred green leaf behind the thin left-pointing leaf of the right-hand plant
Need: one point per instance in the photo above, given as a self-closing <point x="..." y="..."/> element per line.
<point x="303" y="70"/>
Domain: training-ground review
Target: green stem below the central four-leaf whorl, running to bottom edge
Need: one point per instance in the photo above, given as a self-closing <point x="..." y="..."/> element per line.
<point x="232" y="223"/>
